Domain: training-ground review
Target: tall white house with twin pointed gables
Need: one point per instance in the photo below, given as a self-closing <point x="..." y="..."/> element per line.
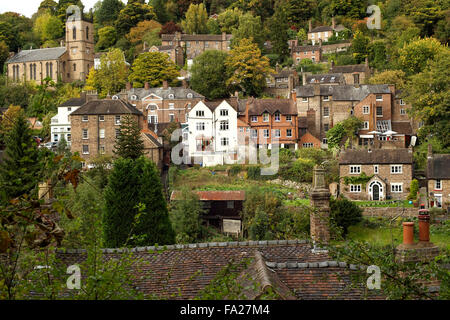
<point x="212" y="136"/>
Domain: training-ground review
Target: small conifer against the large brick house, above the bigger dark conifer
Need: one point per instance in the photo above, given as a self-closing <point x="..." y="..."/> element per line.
<point x="129" y="144"/>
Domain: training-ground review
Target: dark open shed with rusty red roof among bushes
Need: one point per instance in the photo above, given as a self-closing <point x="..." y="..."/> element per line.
<point x="219" y="205"/>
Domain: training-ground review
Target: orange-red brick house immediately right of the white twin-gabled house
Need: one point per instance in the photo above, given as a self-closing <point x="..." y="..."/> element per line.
<point x="270" y="118"/>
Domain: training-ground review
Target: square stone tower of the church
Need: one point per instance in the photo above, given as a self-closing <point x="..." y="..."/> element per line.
<point x="80" y="49"/>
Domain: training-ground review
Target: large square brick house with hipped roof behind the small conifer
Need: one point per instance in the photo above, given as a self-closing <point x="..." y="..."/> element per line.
<point x="95" y="126"/>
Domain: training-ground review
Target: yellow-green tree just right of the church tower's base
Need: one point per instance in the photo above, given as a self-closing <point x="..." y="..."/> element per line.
<point x="111" y="76"/>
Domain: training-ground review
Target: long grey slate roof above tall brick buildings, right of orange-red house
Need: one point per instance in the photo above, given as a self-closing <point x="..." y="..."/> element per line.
<point x="343" y="92"/>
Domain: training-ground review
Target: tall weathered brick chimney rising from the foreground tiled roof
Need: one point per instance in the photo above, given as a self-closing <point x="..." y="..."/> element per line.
<point x="320" y="200"/>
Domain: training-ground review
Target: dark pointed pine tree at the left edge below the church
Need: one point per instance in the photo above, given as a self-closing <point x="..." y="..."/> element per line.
<point x="19" y="171"/>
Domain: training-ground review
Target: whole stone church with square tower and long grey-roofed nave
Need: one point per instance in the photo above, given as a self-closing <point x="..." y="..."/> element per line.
<point x="66" y="63"/>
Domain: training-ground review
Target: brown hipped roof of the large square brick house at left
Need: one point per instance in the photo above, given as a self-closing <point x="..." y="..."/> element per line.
<point x="106" y="107"/>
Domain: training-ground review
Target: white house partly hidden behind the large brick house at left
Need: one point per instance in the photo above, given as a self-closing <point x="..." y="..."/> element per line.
<point x="60" y="124"/>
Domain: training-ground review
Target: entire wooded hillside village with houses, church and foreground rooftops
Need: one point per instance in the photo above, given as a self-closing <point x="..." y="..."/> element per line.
<point x="291" y="143"/>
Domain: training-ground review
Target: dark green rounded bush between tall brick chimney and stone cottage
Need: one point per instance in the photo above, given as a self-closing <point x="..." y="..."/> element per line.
<point x="344" y="213"/>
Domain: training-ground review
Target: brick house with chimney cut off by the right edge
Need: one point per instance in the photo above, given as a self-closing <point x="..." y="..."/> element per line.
<point x="438" y="179"/>
